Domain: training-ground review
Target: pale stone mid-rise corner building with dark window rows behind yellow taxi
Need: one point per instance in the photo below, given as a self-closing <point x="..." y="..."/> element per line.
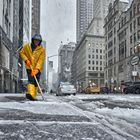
<point x="88" y="62"/>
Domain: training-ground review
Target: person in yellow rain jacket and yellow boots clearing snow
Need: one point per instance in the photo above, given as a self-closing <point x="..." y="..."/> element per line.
<point x="33" y="55"/>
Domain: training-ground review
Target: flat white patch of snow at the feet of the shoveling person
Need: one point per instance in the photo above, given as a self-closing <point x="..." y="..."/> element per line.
<point x="40" y="107"/>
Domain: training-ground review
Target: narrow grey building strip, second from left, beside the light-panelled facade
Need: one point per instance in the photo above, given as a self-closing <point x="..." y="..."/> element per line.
<point x="14" y="52"/>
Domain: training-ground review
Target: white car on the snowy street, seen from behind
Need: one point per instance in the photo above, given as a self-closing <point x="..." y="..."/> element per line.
<point x="66" y="89"/>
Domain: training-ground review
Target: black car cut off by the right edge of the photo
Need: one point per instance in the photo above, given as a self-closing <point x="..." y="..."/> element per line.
<point x="132" y="87"/>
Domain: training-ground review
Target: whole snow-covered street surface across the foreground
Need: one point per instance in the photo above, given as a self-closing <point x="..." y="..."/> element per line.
<point x="80" y="117"/>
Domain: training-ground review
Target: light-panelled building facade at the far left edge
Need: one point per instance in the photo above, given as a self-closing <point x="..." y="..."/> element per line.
<point x="6" y="45"/>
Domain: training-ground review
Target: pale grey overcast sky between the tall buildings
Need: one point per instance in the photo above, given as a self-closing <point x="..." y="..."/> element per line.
<point x="58" y="23"/>
